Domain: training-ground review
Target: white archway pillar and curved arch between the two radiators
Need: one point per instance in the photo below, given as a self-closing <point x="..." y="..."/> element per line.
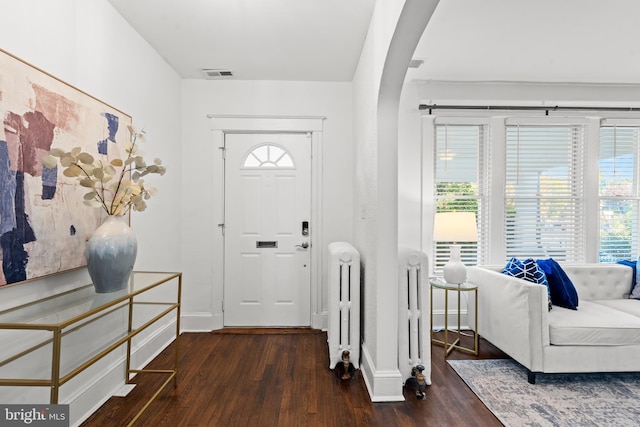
<point x="393" y="35"/>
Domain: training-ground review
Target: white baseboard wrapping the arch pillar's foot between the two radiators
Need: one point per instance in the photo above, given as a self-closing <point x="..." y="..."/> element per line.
<point x="383" y="386"/>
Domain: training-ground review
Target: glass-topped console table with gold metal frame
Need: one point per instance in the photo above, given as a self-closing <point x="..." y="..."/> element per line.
<point x="45" y="329"/>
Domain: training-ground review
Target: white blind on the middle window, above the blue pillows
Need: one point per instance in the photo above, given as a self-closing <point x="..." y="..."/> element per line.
<point x="544" y="208"/>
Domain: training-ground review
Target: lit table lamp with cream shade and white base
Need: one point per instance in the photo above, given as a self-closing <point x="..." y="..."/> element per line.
<point x="455" y="227"/>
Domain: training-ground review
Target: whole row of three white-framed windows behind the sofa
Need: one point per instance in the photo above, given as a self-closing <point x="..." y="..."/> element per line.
<point x="562" y="187"/>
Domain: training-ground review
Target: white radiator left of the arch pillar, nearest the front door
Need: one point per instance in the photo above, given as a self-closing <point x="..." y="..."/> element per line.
<point x="344" y="303"/>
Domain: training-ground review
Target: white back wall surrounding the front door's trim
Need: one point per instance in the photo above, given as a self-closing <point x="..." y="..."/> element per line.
<point x="202" y="241"/>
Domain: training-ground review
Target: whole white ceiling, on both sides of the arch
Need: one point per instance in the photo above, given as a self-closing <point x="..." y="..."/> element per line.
<point x="583" y="41"/>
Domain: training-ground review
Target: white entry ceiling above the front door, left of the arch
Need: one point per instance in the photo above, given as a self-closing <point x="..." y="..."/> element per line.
<point x="304" y="40"/>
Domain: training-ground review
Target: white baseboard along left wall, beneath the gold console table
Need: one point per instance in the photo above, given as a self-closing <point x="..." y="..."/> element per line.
<point x="90" y="397"/>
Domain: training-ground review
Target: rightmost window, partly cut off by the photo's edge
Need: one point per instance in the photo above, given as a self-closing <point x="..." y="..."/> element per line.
<point x="618" y="191"/>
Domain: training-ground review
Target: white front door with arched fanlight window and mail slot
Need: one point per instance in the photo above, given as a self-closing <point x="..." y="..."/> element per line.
<point x="267" y="278"/>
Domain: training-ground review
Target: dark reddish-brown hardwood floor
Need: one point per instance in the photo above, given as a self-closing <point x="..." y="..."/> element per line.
<point x="282" y="378"/>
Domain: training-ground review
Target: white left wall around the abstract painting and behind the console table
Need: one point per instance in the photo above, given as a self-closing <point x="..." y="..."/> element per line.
<point x="87" y="44"/>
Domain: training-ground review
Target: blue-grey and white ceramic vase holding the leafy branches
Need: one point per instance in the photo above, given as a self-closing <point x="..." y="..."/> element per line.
<point x="111" y="253"/>
